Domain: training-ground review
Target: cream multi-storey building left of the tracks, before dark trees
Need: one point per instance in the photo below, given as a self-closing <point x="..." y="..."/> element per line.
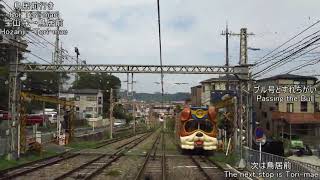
<point x="89" y="102"/>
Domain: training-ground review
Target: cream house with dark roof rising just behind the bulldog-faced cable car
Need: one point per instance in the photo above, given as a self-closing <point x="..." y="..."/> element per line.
<point x="216" y="84"/>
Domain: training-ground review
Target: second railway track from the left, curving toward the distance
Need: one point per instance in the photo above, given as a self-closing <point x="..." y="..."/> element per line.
<point x="97" y="165"/>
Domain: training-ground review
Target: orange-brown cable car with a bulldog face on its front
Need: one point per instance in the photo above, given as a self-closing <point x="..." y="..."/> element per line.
<point x="198" y="128"/>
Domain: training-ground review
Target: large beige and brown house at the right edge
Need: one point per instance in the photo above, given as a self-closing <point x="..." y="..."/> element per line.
<point x="287" y="103"/>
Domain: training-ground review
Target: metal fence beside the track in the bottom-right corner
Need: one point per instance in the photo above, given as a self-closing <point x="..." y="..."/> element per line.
<point x="270" y="166"/>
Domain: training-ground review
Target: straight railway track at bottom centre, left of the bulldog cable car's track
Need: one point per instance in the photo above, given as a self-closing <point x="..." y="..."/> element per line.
<point x="154" y="167"/>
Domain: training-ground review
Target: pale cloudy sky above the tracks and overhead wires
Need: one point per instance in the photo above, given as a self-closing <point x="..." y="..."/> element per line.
<point x="126" y="32"/>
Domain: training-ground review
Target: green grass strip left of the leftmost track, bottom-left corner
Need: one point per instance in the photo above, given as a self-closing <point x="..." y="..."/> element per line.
<point x="25" y="158"/>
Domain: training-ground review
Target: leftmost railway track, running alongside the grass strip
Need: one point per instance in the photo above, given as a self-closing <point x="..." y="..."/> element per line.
<point x="43" y="163"/>
